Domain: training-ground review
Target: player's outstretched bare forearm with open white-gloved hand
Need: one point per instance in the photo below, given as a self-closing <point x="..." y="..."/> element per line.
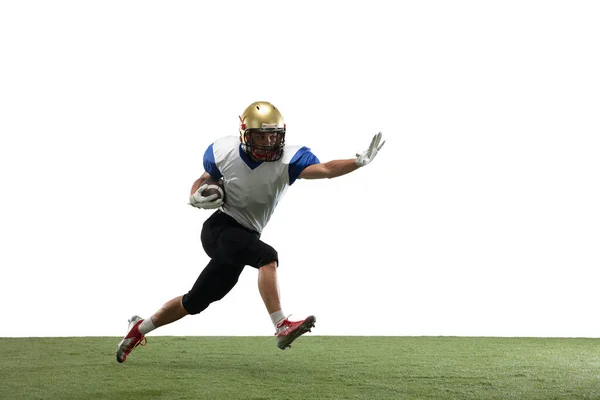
<point x="337" y="168"/>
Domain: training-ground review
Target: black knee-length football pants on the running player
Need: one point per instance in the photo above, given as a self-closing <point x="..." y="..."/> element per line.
<point x="231" y="247"/>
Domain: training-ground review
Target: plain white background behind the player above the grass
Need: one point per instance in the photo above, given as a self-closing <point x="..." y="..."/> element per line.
<point x="480" y="216"/>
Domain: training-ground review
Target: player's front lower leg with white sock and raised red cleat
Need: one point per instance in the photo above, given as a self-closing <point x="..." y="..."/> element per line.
<point x="286" y="331"/>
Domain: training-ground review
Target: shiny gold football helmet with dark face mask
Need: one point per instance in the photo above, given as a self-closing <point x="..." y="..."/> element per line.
<point x="262" y="117"/>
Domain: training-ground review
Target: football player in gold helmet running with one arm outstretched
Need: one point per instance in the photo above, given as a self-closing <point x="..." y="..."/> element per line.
<point x="256" y="168"/>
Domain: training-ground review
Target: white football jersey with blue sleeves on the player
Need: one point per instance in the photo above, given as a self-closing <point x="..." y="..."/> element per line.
<point x="253" y="189"/>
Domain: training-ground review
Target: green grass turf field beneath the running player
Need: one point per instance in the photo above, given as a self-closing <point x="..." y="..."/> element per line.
<point x="317" y="367"/>
